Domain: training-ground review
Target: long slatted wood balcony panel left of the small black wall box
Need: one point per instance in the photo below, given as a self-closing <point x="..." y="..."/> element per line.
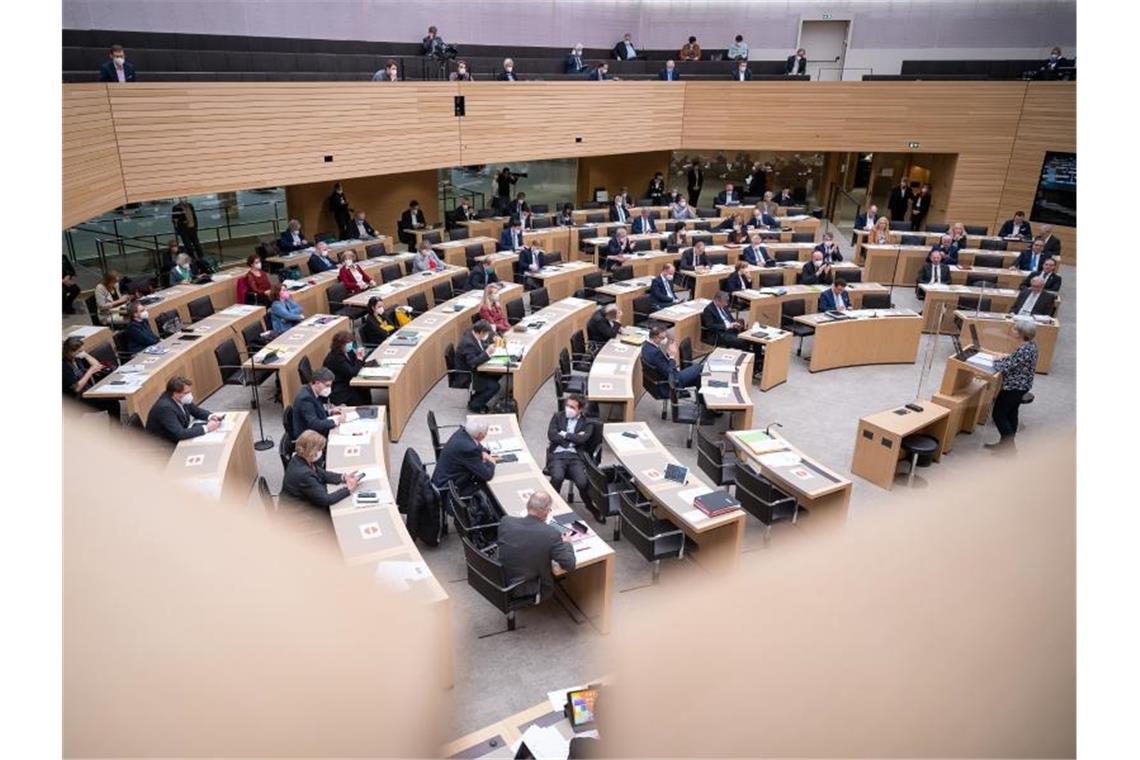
<point x="180" y="140"/>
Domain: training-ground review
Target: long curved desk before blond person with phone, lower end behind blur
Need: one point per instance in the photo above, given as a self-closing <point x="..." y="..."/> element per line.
<point x="377" y="536"/>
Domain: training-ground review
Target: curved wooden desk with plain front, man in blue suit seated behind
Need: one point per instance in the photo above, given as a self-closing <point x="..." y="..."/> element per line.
<point x="869" y="337"/>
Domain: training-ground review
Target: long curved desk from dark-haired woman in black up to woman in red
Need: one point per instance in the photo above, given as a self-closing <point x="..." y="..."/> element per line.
<point x="411" y="372"/>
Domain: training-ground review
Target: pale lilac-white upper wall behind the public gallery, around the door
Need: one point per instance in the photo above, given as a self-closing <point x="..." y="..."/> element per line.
<point x="883" y="34"/>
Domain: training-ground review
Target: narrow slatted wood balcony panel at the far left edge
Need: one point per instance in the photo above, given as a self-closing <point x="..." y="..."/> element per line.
<point x="93" y="182"/>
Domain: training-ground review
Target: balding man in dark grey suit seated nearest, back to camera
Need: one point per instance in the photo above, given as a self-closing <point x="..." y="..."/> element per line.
<point x="528" y="545"/>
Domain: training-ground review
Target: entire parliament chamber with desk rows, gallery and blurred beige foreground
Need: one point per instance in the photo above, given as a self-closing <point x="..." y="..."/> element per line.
<point x="569" y="380"/>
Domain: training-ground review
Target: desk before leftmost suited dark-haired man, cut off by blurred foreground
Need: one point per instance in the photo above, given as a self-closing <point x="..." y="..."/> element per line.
<point x="221" y="463"/>
